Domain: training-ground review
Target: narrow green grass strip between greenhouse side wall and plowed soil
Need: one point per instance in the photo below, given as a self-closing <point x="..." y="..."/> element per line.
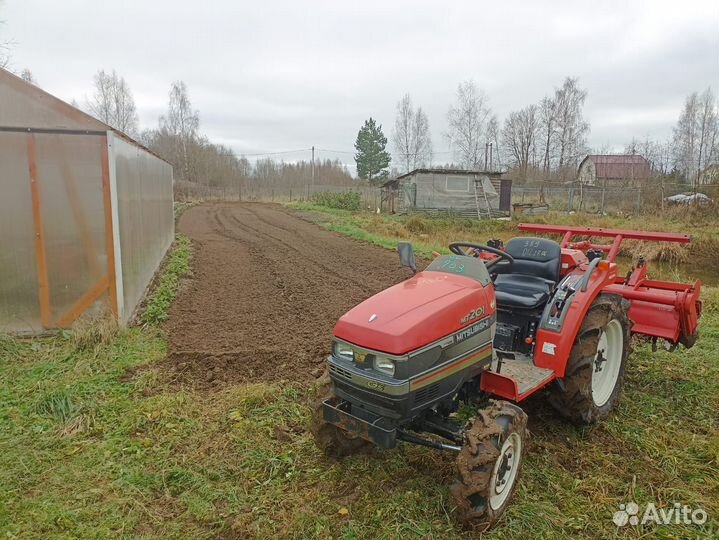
<point x="177" y="265"/>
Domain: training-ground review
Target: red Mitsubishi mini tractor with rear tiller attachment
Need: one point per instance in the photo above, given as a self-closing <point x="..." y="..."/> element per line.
<point x="483" y="329"/>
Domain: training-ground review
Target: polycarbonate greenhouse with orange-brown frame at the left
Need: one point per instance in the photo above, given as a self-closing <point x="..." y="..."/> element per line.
<point x="86" y="213"/>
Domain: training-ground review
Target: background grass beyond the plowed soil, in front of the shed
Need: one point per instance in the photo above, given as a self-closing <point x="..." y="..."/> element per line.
<point x="672" y="261"/>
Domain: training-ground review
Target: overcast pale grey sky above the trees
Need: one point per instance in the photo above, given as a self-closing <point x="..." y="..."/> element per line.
<point x="281" y="75"/>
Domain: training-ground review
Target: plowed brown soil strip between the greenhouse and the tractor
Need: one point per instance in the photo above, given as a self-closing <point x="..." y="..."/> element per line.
<point x="266" y="291"/>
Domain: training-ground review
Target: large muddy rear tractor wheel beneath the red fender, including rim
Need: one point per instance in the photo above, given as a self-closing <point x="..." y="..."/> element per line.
<point x="594" y="376"/>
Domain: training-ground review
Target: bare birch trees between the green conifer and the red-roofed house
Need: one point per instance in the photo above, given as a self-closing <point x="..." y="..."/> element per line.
<point x="549" y="137"/>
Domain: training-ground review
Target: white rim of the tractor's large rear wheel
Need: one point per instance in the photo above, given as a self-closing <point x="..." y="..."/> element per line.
<point x="607" y="362"/>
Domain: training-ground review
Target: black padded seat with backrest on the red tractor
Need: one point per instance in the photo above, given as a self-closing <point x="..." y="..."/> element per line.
<point x="528" y="282"/>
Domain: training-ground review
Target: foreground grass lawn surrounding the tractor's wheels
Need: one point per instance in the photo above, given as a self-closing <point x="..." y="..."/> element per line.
<point x="95" y="443"/>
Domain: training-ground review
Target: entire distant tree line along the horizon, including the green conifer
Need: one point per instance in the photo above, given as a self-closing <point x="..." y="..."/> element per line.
<point x="539" y="143"/>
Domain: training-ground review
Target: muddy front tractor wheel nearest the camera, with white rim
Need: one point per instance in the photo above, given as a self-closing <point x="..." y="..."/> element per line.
<point x="489" y="464"/>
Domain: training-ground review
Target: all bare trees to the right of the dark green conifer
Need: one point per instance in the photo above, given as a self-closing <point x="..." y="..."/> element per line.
<point x="544" y="142"/>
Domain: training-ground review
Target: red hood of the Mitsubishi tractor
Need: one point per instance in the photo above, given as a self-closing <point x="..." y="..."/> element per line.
<point x="416" y="312"/>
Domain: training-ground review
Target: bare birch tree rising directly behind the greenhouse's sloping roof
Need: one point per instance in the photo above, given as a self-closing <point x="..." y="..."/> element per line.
<point x="112" y="102"/>
